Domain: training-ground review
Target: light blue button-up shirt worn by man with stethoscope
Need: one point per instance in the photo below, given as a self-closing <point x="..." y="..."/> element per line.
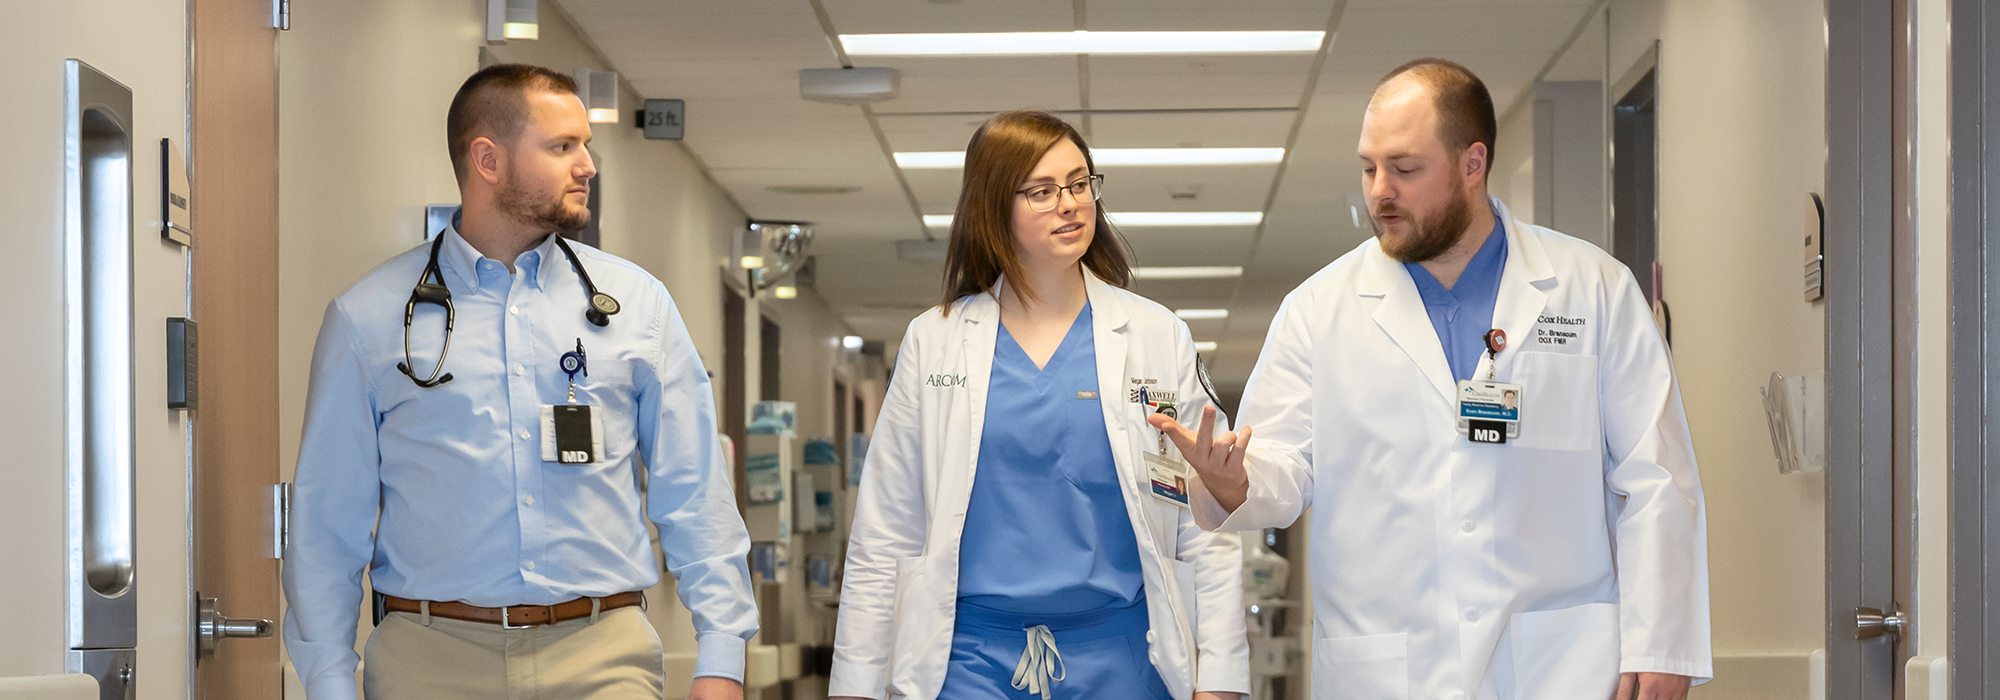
<point x="443" y="493"/>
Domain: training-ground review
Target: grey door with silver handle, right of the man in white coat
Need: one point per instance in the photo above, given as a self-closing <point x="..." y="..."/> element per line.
<point x="1869" y="371"/>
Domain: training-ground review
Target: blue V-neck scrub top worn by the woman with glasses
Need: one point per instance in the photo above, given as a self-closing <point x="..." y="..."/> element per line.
<point x="1047" y="531"/>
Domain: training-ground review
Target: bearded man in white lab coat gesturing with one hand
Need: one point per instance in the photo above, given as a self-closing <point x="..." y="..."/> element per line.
<point x="1491" y="429"/>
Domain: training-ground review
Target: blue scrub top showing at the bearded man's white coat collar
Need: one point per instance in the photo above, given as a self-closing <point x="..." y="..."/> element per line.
<point x="1465" y="313"/>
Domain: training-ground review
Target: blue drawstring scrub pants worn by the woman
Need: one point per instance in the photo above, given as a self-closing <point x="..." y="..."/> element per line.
<point x="1103" y="655"/>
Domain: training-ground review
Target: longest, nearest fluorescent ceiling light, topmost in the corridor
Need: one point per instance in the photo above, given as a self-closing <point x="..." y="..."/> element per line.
<point x="1081" y="43"/>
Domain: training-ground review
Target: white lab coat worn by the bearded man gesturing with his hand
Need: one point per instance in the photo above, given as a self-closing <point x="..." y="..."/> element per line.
<point x="1445" y="569"/>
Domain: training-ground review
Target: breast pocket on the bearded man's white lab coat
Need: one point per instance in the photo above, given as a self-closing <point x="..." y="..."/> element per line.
<point x="1559" y="401"/>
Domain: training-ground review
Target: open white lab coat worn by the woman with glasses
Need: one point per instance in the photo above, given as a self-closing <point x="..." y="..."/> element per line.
<point x="897" y="605"/>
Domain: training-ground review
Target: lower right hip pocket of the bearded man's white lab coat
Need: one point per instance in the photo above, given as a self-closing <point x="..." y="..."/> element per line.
<point x="1569" y="653"/>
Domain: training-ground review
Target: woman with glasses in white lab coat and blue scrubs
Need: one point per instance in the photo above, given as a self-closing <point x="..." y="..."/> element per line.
<point x="1021" y="531"/>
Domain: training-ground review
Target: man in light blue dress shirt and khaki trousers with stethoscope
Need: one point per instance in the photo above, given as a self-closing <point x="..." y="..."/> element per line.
<point x="491" y="455"/>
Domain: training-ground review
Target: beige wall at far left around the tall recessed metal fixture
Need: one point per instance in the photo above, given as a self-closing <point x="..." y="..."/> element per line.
<point x="143" y="47"/>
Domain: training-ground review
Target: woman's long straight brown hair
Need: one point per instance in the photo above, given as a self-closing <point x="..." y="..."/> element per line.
<point x="999" y="161"/>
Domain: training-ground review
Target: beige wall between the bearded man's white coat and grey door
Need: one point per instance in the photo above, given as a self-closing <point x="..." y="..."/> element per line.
<point x="1741" y="143"/>
